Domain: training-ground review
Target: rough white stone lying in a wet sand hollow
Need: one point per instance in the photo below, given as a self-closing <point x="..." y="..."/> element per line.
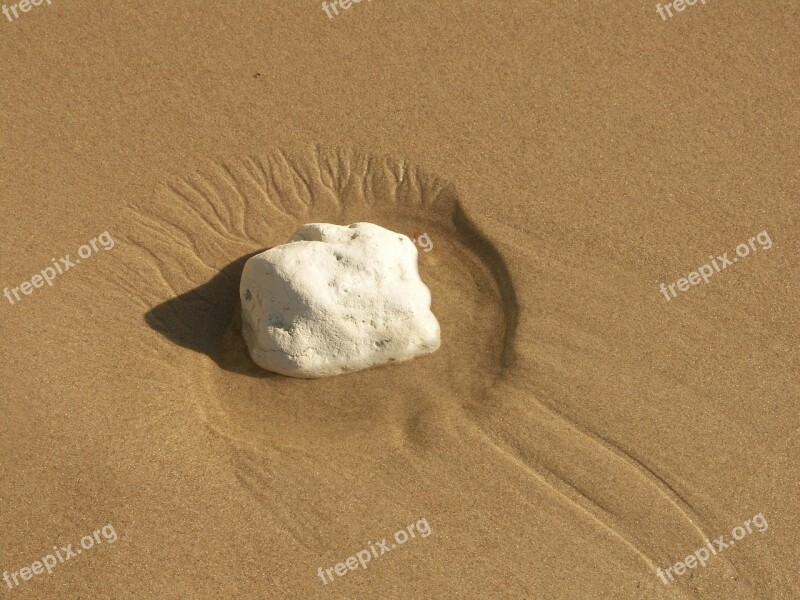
<point x="336" y="299"/>
